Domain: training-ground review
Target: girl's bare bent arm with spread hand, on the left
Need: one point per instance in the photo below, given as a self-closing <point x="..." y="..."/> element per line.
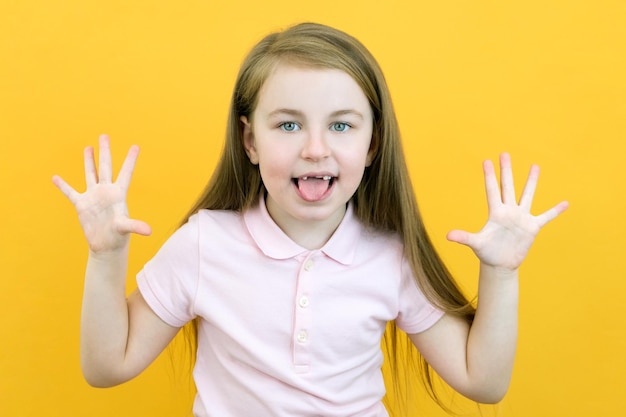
<point x="119" y="337"/>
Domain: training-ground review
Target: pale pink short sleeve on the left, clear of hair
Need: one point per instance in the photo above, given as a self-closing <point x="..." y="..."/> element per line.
<point x="169" y="281"/>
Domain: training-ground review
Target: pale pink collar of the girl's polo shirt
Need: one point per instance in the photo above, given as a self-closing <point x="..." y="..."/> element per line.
<point x="273" y="242"/>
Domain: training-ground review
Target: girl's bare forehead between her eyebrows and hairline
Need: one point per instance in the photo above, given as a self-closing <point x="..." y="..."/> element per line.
<point x="310" y="89"/>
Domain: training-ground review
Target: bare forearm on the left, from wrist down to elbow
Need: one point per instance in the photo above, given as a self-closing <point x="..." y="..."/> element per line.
<point x="104" y="318"/>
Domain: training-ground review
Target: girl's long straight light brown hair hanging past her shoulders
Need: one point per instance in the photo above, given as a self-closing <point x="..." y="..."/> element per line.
<point x="384" y="199"/>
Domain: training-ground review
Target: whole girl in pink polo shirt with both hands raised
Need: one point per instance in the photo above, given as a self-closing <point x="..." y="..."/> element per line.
<point x="306" y="242"/>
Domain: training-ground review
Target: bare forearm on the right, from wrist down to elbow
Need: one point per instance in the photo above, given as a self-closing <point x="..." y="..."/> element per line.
<point x="492" y="337"/>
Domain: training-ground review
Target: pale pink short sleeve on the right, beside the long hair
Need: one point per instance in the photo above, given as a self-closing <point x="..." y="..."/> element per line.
<point x="416" y="313"/>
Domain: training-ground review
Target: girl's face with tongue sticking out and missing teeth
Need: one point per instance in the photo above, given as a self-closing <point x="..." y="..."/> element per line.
<point x="310" y="134"/>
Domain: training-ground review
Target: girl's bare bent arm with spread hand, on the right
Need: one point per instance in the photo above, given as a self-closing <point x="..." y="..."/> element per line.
<point x="477" y="361"/>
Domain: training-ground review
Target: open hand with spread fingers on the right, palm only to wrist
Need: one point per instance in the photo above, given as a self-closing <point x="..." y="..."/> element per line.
<point x="510" y="230"/>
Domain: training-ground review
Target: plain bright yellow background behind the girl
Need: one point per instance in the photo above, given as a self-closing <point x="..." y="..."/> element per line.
<point x="544" y="80"/>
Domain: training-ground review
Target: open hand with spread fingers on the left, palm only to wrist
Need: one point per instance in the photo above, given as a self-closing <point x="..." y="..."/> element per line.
<point x="102" y="209"/>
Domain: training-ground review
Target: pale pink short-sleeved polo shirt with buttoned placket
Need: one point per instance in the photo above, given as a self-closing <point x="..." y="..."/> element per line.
<point x="284" y="331"/>
